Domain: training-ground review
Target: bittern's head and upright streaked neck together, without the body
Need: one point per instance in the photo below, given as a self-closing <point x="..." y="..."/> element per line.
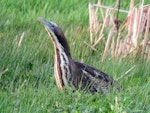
<point x="62" y="53"/>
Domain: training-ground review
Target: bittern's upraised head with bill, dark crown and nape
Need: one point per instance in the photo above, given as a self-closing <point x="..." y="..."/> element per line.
<point x="56" y="34"/>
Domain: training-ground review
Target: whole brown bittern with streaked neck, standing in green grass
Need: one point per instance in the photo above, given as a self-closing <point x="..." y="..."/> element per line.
<point x="69" y="72"/>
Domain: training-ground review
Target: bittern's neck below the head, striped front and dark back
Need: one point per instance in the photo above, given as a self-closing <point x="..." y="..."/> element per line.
<point x="62" y="62"/>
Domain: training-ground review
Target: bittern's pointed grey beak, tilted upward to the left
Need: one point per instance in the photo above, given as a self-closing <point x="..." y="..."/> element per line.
<point x="48" y="25"/>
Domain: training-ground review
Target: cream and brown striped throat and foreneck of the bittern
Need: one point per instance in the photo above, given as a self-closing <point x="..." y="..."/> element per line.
<point x="61" y="67"/>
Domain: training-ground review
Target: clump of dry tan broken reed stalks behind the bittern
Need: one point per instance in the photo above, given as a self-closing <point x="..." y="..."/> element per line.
<point x="130" y="37"/>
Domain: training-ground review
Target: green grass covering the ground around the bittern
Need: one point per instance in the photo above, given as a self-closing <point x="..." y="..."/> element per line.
<point x="29" y="85"/>
